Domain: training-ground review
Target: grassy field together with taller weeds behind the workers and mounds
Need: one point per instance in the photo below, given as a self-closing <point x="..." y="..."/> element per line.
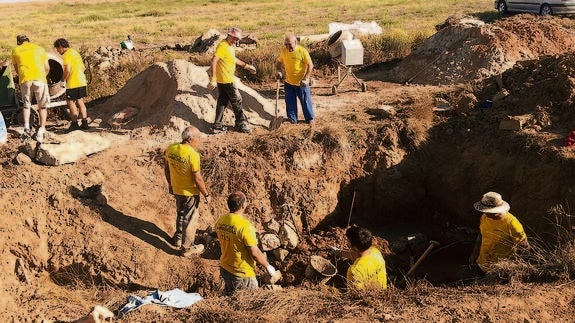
<point x="151" y="24"/>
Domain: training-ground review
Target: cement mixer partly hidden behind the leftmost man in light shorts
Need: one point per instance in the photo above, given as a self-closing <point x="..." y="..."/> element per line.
<point x="11" y="102"/>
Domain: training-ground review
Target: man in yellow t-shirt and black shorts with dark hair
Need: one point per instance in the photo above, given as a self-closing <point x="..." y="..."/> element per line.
<point x="76" y="83"/>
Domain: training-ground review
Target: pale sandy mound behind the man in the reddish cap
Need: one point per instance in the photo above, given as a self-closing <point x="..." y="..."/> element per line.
<point x="174" y="94"/>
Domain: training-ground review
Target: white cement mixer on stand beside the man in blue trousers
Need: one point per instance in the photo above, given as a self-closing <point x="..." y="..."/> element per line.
<point x="346" y="52"/>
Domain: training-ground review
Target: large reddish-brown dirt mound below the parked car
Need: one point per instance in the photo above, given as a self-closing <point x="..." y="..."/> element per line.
<point x="466" y="49"/>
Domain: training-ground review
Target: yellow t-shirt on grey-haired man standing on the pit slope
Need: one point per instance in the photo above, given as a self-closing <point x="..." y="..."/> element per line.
<point x="183" y="161"/>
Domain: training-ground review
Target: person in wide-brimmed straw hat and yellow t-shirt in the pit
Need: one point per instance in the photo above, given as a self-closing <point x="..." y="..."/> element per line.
<point x="500" y="232"/>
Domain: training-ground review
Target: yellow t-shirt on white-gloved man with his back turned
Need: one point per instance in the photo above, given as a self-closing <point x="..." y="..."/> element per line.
<point x="235" y="234"/>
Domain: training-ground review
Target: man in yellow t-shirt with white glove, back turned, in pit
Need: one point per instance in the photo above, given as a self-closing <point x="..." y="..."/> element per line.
<point x="239" y="246"/>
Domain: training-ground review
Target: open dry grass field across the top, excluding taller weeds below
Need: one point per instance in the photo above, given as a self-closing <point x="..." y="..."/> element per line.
<point x="96" y="23"/>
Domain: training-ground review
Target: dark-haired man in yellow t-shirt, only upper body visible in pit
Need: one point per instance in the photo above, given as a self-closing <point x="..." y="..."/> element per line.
<point x="368" y="269"/>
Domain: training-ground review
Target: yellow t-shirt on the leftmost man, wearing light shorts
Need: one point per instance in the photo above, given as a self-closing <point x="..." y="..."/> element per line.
<point x="29" y="59"/>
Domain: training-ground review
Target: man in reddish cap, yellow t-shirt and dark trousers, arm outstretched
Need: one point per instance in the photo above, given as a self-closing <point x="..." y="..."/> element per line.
<point x="222" y="75"/>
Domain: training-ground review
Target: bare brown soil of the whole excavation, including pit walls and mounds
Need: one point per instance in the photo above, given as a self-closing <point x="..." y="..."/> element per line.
<point x="384" y="158"/>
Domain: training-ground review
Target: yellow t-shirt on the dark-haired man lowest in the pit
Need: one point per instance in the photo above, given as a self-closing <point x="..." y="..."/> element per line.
<point x="368" y="270"/>
